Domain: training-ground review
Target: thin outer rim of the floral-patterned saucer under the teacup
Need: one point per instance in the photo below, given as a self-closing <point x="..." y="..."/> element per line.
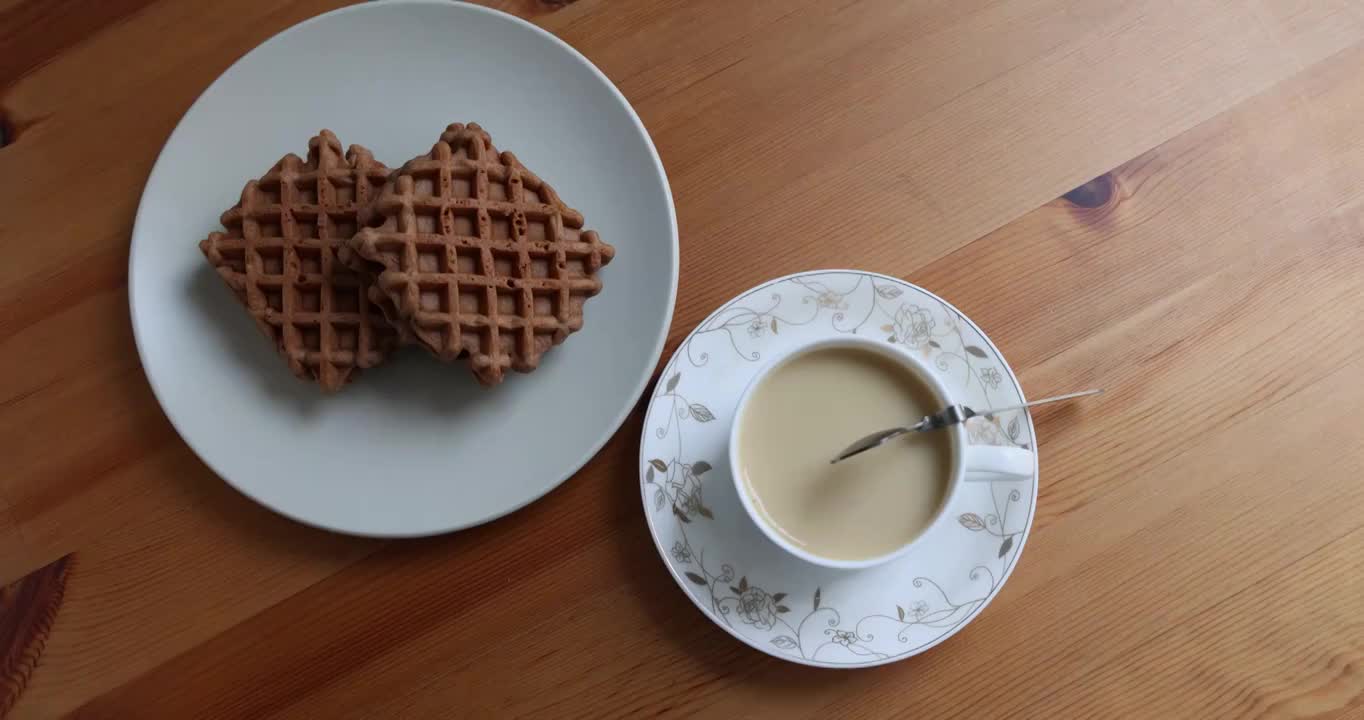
<point x="987" y="601"/>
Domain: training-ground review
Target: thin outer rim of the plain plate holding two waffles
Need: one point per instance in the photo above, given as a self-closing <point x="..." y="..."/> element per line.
<point x="610" y="430"/>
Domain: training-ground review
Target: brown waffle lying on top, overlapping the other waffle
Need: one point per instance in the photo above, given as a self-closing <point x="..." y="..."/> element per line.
<point x="479" y="258"/>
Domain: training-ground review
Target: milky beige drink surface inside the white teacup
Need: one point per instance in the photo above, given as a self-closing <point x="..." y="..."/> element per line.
<point x="807" y="411"/>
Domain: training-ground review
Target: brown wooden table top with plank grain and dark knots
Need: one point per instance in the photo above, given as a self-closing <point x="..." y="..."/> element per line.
<point x="1163" y="198"/>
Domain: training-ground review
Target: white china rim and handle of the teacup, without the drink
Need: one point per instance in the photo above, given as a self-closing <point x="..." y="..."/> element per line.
<point x="970" y="463"/>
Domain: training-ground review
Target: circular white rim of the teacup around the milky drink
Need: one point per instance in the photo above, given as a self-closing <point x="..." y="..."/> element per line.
<point x="905" y="359"/>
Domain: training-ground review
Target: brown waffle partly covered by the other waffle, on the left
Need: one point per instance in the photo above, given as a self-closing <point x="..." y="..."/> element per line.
<point x="279" y="257"/>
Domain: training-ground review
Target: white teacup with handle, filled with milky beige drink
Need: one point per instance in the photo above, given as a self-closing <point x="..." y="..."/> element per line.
<point x="816" y="399"/>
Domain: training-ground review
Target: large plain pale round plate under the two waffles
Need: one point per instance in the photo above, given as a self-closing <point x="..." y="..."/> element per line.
<point x="413" y="448"/>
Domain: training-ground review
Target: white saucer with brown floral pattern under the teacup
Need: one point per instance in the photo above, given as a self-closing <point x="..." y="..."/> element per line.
<point x="747" y="584"/>
